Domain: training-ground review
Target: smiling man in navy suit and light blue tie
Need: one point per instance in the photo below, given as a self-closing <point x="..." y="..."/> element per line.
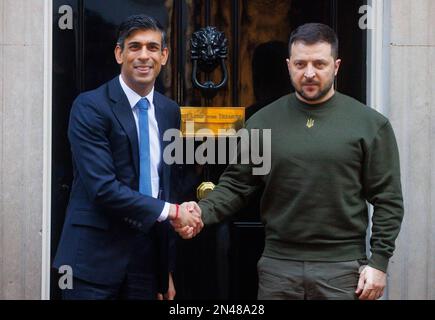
<point x="117" y="236"/>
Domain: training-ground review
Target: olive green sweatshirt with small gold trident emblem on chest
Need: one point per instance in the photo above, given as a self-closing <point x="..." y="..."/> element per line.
<point x="327" y="160"/>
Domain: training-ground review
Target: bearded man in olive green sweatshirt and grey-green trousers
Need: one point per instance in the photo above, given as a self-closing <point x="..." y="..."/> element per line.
<point x="330" y="155"/>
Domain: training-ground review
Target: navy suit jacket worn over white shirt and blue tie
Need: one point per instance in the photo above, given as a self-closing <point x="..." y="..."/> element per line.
<point x="105" y="210"/>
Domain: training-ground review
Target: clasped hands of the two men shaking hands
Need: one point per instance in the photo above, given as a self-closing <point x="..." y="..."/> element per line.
<point x="186" y="219"/>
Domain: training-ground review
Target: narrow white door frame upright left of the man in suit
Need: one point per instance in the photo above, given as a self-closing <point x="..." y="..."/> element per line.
<point x="46" y="185"/>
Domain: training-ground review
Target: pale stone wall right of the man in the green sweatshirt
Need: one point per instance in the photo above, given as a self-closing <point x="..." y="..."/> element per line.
<point x="412" y="113"/>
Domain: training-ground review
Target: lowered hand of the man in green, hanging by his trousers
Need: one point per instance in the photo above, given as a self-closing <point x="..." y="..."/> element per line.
<point x="371" y="284"/>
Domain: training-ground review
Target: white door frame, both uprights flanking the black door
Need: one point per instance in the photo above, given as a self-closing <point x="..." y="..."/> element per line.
<point x="377" y="98"/>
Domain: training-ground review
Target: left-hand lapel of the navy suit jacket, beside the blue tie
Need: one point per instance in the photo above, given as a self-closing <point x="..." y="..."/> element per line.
<point x="124" y="114"/>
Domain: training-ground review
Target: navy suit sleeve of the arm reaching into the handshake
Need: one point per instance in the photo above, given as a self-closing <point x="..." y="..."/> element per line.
<point x="88" y="134"/>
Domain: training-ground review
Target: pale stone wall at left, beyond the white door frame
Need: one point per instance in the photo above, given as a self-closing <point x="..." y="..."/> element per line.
<point x="21" y="147"/>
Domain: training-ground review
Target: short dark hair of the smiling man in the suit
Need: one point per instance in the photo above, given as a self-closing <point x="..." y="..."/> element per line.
<point x="139" y="22"/>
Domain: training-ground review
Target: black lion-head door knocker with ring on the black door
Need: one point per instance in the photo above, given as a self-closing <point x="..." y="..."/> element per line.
<point x="208" y="51"/>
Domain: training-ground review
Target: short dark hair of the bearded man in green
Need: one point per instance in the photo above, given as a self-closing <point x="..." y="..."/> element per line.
<point x="311" y="33"/>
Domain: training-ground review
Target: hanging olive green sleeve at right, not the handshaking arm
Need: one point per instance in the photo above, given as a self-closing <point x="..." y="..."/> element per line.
<point x="382" y="187"/>
